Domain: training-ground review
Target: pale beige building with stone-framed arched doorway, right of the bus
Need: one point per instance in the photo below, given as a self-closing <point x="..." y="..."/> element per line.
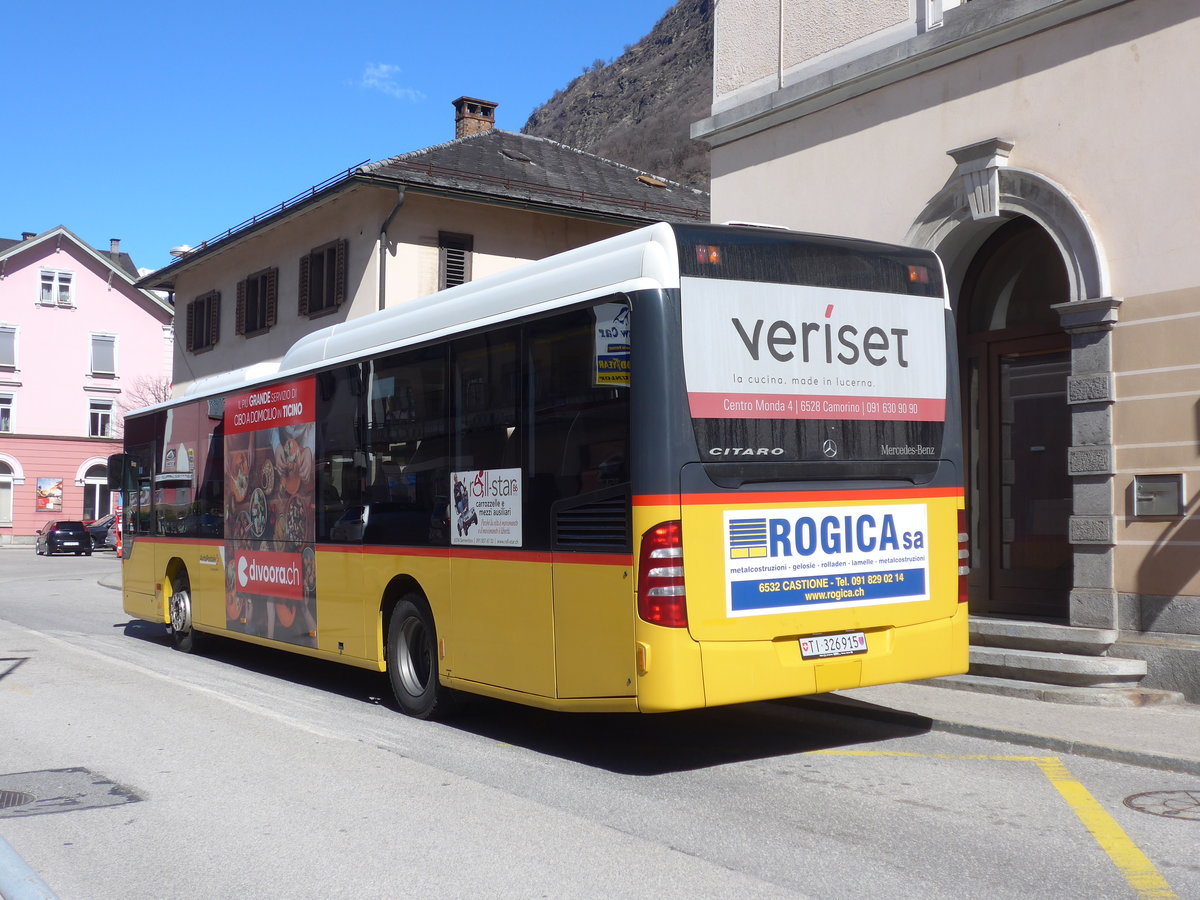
<point x="1040" y="147"/>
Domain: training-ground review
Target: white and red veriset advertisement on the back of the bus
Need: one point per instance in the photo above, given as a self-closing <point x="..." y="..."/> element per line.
<point x="760" y="351"/>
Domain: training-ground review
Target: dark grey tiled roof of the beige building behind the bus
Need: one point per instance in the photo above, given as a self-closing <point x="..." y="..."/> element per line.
<point x="508" y="167"/>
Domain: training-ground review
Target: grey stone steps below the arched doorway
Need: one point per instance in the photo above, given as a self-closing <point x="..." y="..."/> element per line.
<point x="1059" y="664"/>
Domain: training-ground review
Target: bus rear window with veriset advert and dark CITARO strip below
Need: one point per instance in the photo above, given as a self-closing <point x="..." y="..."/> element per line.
<point x="785" y="373"/>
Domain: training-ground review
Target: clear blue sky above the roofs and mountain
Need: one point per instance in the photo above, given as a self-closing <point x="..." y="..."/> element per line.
<point x="165" y="124"/>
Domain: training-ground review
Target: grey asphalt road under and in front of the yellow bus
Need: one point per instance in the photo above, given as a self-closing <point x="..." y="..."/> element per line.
<point x="255" y="773"/>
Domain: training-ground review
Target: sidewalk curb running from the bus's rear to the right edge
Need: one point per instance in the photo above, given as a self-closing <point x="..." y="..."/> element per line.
<point x="1012" y="736"/>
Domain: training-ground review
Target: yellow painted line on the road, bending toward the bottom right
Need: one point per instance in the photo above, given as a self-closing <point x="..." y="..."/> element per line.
<point x="1135" y="866"/>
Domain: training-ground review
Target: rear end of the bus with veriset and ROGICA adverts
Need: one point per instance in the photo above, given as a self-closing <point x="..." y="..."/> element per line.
<point x="797" y="471"/>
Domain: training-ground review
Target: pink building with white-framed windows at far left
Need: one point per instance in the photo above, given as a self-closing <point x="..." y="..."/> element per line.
<point x="80" y="346"/>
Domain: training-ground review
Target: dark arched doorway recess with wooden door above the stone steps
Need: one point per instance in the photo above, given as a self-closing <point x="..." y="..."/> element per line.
<point x="1017" y="362"/>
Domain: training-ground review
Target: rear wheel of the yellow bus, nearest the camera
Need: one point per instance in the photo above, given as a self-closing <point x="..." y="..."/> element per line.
<point x="413" y="662"/>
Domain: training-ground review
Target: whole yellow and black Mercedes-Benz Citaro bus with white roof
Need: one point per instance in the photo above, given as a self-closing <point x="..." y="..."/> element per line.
<point x="683" y="467"/>
